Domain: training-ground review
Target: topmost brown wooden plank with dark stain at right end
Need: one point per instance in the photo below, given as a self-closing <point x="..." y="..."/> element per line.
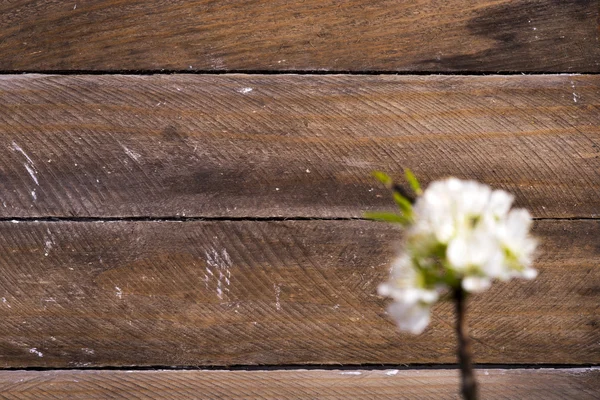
<point x="357" y="35"/>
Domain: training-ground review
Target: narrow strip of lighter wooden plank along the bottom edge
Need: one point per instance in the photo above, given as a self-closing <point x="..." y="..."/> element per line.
<point x="543" y="384"/>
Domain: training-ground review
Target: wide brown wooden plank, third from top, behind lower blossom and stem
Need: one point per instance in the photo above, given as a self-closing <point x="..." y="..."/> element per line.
<point x="293" y="292"/>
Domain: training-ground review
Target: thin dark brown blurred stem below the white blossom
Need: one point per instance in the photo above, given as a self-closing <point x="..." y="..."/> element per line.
<point x="469" y="385"/>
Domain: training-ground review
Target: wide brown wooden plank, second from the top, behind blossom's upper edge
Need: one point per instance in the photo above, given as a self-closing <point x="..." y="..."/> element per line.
<point x="292" y="146"/>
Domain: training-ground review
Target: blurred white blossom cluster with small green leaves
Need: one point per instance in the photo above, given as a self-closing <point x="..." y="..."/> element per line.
<point x="460" y="234"/>
